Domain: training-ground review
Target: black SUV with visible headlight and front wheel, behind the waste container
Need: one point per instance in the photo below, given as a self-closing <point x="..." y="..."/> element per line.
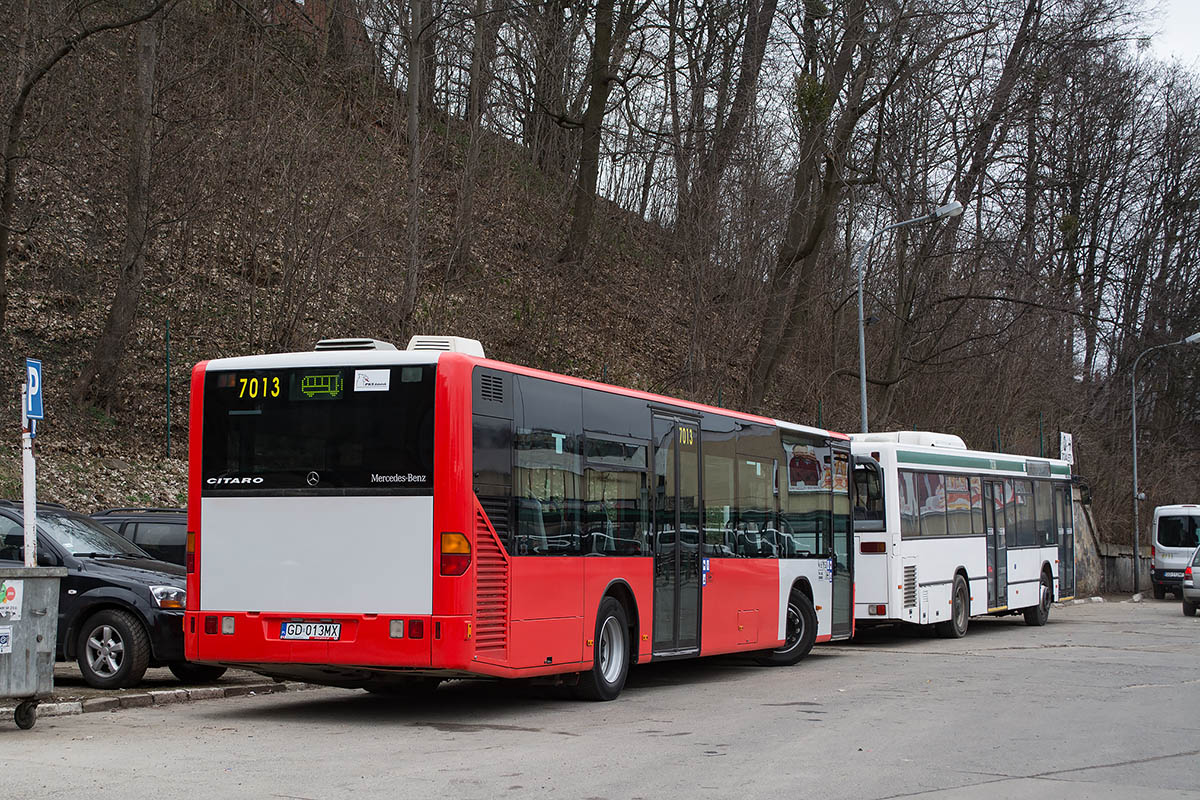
<point x="119" y="610"/>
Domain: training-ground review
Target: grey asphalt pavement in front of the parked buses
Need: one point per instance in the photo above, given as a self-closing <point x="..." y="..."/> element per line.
<point x="1103" y="702"/>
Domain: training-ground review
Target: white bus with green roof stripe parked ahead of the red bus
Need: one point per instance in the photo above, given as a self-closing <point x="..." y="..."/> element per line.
<point x="944" y="533"/>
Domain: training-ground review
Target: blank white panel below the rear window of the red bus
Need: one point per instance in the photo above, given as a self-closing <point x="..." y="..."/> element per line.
<point x="320" y="549"/>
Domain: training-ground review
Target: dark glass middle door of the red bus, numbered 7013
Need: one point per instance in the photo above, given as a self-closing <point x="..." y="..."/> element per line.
<point x="676" y="537"/>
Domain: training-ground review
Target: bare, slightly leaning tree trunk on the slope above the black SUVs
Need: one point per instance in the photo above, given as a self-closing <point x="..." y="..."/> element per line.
<point x="100" y="381"/>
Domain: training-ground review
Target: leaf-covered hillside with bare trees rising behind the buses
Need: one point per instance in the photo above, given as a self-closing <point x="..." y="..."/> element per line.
<point x="665" y="195"/>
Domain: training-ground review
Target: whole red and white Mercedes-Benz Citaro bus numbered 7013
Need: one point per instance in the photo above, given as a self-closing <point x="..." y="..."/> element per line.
<point x="367" y="518"/>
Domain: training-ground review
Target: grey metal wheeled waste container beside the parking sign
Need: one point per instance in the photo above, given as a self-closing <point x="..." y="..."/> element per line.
<point x="29" y="621"/>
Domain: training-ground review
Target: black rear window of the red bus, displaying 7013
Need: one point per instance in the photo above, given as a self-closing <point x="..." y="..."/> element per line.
<point x="320" y="430"/>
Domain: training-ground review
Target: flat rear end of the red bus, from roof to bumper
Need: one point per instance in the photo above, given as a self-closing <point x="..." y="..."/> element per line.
<point x="311" y="512"/>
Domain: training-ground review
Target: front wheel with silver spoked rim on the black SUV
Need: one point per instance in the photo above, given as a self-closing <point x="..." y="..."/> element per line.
<point x="113" y="649"/>
